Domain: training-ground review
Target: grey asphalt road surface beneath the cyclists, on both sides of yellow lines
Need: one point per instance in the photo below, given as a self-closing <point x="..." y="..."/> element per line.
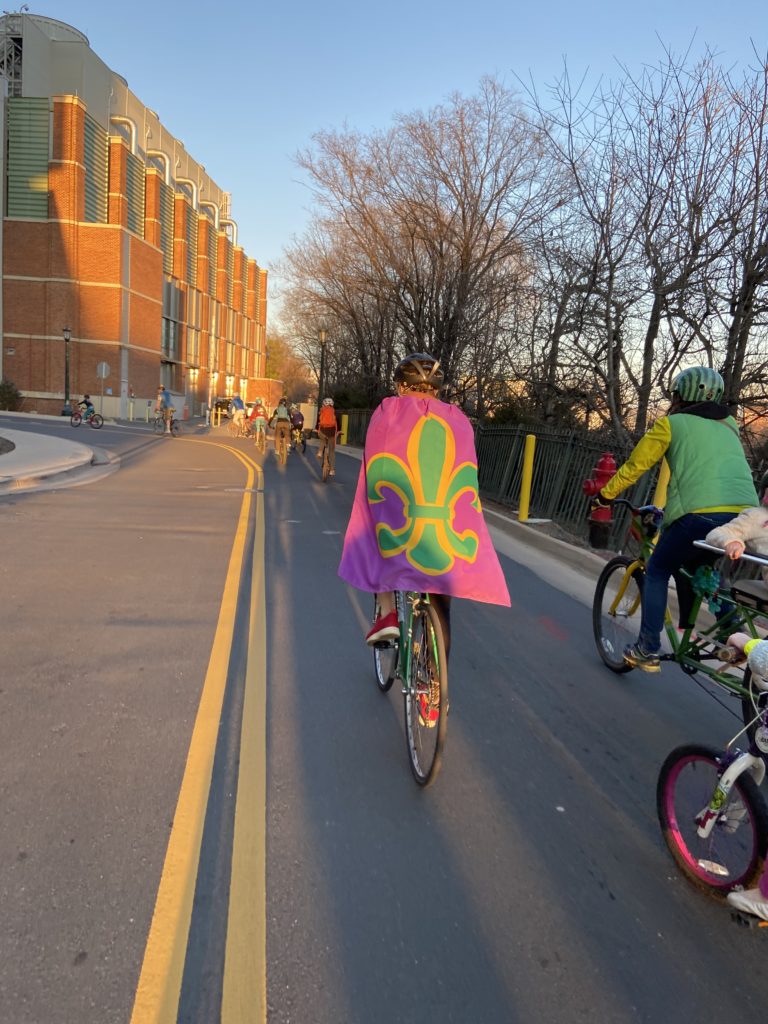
<point x="530" y="884"/>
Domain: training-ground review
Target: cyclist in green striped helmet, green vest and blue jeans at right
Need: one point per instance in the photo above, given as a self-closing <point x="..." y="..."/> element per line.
<point x="710" y="484"/>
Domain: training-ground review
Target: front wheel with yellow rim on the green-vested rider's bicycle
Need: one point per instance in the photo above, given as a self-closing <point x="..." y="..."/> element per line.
<point x="616" y="611"/>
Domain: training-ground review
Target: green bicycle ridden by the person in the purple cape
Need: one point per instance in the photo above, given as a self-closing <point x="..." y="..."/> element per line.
<point x="418" y="659"/>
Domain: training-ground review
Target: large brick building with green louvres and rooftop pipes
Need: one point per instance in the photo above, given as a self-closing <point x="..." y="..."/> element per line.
<point x="113" y="231"/>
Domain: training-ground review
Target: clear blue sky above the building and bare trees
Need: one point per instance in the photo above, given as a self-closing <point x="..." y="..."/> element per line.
<point x="245" y="86"/>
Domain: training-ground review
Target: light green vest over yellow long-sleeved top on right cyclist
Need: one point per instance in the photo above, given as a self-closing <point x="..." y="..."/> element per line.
<point x="708" y="468"/>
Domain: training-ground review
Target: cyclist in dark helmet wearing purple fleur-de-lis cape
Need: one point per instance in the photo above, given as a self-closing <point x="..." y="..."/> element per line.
<point x="417" y="523"/>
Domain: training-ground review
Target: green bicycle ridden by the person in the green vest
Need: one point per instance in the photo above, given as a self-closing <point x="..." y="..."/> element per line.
<point x="700" y="648"/>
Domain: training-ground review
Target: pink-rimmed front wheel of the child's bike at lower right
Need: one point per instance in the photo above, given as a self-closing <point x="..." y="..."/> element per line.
<point x="735" y="851"/>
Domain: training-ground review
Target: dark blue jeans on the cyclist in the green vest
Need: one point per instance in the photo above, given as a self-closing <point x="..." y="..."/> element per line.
<point x="674" y="550"/>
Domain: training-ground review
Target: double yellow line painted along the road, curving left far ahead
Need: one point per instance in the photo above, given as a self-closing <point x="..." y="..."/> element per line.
<point x="245" y="963"/>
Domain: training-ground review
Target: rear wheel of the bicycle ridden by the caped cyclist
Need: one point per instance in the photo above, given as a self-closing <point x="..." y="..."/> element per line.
<point x="426" y="695"/>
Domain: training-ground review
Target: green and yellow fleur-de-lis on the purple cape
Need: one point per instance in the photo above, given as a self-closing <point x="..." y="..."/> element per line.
<point x="429" y="485"/>
